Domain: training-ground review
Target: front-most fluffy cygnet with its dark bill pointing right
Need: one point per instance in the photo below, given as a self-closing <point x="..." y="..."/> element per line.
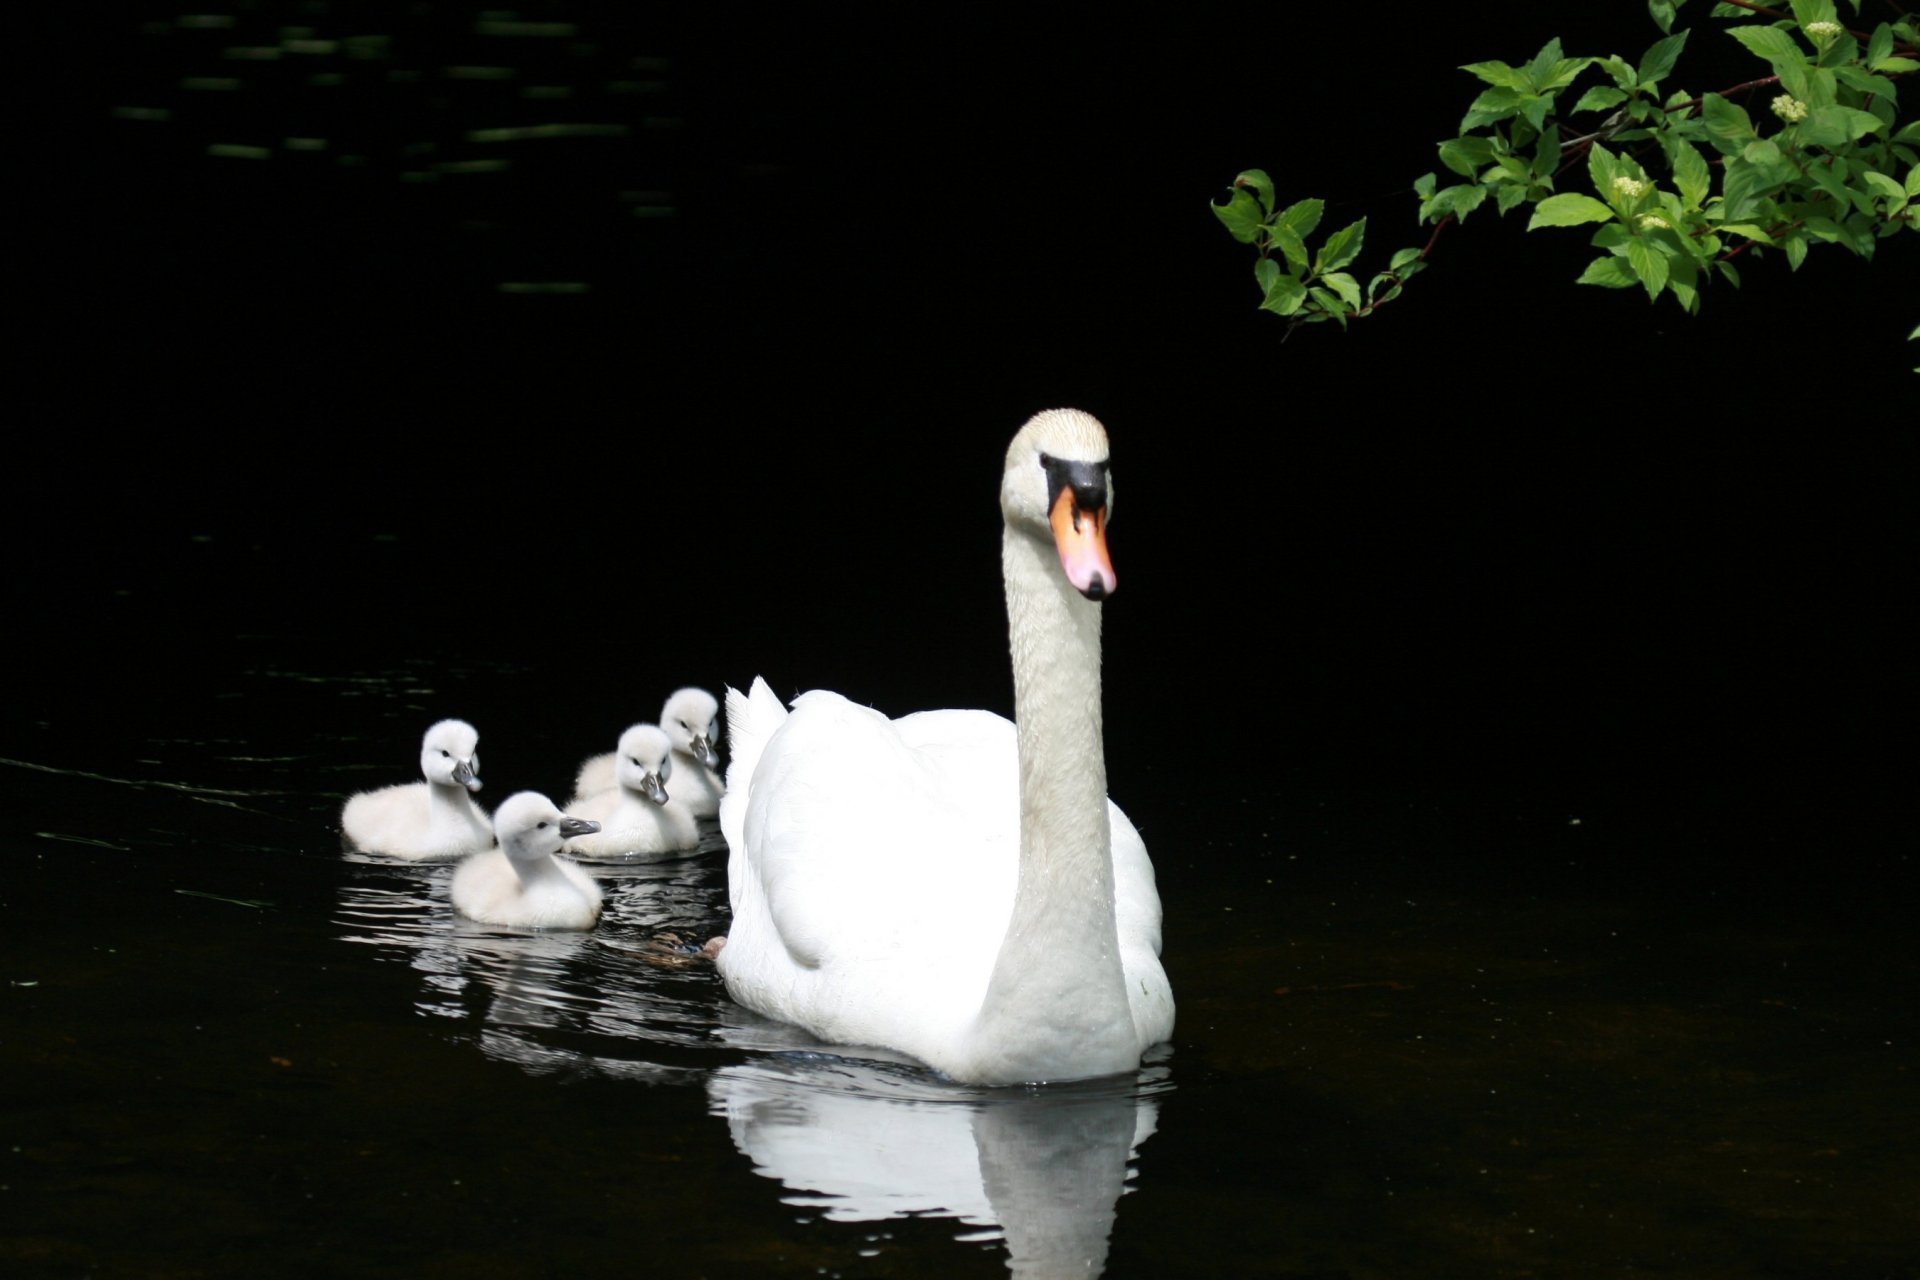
<point x="521" y="882"/>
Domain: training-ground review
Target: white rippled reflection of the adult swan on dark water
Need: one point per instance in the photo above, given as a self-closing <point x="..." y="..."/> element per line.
<point x="871" y="1141"/>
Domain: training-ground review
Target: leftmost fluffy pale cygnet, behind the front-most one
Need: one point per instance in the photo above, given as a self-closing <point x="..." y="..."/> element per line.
<point x="427" y="822"/>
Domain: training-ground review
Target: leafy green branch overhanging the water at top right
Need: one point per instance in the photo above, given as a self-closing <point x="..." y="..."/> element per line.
<point x="1675" y="185"/>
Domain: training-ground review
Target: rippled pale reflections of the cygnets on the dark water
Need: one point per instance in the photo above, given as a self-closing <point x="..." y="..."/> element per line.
<point x="552" y="1003"/>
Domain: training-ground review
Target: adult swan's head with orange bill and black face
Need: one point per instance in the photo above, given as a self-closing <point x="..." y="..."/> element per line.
<point x="1057" y="486"/>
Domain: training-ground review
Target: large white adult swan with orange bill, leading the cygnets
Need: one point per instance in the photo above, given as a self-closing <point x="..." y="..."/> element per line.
<point x="951" y="886"/>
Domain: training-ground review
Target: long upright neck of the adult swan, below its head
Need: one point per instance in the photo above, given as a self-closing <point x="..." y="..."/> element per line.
<point x="1057" y="991"/>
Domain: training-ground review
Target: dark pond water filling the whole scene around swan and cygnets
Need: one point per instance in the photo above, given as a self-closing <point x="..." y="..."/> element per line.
<point x="1512" y="698"/>
